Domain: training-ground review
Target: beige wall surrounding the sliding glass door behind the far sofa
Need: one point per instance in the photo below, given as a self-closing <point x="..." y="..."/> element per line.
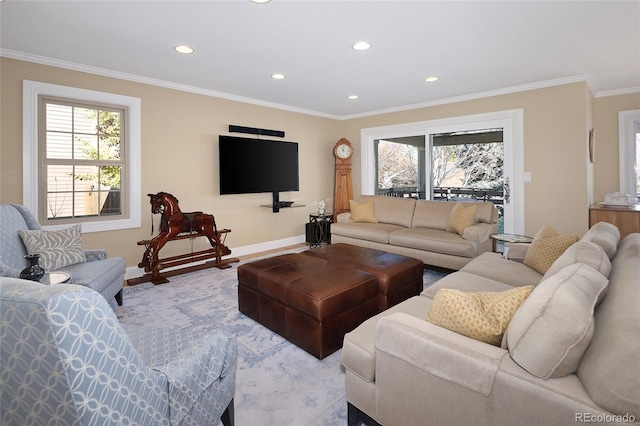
<point x="556" y="121"/>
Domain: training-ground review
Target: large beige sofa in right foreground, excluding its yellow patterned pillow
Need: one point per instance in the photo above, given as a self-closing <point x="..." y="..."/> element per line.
<point x="404" y="370"/>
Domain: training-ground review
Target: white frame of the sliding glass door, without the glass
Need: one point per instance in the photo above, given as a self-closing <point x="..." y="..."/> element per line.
<point x="512" y="123"/>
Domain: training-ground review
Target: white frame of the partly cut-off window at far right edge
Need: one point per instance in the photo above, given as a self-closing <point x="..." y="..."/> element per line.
<point x="627" y="151"/>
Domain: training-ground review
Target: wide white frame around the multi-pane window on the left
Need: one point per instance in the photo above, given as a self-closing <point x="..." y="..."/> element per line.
<point x="31" y="91"/>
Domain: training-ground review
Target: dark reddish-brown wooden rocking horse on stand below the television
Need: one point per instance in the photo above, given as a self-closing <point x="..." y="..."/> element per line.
<point x="177" y="225"/>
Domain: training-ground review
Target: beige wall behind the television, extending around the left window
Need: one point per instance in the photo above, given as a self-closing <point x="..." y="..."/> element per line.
<point x="180" y="155"/>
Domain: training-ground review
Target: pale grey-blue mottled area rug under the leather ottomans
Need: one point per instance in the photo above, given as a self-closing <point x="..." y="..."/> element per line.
<point x="277" y="383"/>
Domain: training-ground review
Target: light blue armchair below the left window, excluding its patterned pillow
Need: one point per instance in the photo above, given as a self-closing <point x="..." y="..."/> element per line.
<point x="102" y="274"/>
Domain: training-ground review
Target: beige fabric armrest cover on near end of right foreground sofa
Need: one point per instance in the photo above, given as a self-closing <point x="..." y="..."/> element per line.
<point x="438" y="351"/>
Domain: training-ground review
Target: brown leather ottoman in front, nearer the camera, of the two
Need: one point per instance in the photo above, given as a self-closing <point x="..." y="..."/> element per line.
<point x="306" y="300"/>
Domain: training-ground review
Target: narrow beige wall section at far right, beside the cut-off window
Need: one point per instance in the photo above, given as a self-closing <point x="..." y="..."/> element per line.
<point x="606" y="109"/>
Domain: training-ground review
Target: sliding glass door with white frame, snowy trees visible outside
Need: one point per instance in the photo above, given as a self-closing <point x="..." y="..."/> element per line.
<point x="462" y="161"/>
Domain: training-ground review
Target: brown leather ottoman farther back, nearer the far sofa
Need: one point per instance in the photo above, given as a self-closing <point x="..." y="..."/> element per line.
<point x="399" y="277"/>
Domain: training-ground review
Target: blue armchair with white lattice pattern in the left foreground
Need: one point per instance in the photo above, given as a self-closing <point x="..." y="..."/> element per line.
<point x="65" y="360"/>
